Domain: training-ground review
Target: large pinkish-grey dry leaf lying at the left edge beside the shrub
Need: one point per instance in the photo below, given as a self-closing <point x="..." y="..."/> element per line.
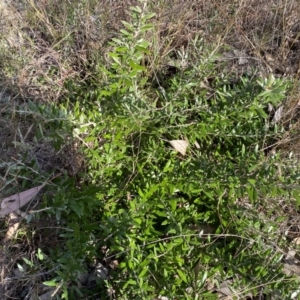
<point x="16" y="201"/>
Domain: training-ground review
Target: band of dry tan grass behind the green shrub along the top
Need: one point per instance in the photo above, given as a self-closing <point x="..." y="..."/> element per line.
<point x="46" y="44"/>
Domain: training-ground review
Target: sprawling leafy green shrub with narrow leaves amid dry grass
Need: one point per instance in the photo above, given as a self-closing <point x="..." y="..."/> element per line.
<point x="161" y="185"/>
